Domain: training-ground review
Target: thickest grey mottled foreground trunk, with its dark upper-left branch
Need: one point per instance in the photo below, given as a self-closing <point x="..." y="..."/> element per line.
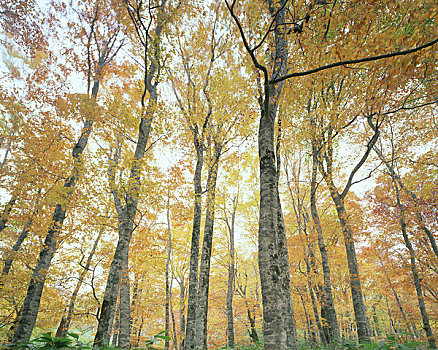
<point x="279" y="326"/>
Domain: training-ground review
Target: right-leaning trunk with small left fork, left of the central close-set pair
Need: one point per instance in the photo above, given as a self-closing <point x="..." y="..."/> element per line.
<point x="126" y="212"/>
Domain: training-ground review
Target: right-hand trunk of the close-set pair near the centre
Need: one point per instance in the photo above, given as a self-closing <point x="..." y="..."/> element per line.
<point x="207" y="244"/>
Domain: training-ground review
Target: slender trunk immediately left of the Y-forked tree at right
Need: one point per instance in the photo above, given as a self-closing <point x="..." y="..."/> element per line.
<point x="332" y="319"/>
